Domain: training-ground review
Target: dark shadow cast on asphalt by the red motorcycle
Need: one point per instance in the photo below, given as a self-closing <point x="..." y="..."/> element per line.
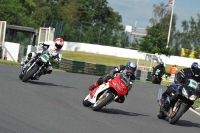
<point x="117" y="111"/>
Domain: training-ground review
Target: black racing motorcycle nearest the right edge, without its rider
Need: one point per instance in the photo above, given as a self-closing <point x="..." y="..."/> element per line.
<point x="178" y="102"/>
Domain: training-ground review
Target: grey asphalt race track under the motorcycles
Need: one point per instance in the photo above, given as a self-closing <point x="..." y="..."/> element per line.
<point x="53" y="104"/>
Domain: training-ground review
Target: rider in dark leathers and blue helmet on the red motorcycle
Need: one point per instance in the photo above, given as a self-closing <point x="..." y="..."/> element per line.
<point x="129" y="70"/>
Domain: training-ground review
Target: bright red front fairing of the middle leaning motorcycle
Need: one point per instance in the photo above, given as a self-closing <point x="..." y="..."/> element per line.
<point x="118" y="85"/>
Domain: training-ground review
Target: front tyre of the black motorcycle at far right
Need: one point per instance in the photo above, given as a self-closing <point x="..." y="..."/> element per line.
<point x="177" y="116"/>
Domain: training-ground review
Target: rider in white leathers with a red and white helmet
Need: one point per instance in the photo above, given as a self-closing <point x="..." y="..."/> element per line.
<point x="54" y="50"/>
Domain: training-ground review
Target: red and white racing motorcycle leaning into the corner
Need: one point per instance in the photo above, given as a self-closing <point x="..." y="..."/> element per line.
<point x="107" y="92"/>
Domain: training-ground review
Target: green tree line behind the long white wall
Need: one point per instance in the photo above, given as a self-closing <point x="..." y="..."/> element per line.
<point x="95" y="22"/>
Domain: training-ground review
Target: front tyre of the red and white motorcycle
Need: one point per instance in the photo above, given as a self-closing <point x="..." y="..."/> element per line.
<point x="102" y="102"/>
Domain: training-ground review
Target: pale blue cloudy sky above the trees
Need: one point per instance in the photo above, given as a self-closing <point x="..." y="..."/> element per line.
<point x="142" y="10"/>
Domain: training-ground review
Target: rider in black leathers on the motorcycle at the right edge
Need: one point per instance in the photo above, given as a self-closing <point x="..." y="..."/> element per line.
<point x="181" y="77"/>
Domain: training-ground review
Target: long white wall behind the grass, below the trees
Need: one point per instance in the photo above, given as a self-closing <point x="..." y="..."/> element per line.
<point x="126" y="53"/>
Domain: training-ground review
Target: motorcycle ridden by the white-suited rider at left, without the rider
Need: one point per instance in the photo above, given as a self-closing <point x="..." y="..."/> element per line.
<point x="35" y="67"/>
